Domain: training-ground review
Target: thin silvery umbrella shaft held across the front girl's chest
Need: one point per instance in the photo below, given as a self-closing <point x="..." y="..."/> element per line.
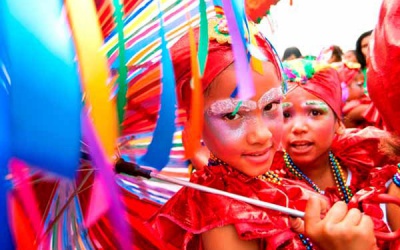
<point x="286" y="210"/>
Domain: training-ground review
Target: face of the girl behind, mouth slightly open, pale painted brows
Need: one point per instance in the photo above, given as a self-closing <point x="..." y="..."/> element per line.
<point x="309" y="127"/>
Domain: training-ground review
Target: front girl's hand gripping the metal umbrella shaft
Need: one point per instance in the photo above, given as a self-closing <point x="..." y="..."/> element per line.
<point x="339" y="229"/>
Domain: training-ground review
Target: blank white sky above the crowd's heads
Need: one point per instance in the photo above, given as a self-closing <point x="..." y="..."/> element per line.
<point x="312" y="25"/>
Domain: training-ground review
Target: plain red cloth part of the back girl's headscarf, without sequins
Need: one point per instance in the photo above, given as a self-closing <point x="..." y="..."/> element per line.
<point x="325" y="85"/>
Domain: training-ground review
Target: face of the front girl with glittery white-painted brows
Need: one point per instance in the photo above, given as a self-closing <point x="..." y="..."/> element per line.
<point x="245" y="134"/>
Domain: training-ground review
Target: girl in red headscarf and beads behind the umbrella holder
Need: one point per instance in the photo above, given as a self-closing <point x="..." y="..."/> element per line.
<point x="318" y="149"/>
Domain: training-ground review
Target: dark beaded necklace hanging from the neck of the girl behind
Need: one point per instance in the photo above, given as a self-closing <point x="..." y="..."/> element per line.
<point x="344" y="191"/>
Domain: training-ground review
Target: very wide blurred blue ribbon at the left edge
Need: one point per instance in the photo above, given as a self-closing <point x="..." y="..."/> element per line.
<point x="45" y="94"/>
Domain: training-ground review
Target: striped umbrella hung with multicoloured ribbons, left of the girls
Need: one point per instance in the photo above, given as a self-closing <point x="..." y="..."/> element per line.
<point x="129" y="97"/>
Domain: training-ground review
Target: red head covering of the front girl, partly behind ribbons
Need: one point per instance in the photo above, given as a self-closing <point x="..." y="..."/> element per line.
<point x="220" y="56"/>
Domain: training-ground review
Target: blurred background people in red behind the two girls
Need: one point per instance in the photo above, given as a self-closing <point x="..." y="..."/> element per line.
<point x="357" y="109"/>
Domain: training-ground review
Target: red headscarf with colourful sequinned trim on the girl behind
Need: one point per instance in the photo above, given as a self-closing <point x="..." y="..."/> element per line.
<point x="318" y="79"/>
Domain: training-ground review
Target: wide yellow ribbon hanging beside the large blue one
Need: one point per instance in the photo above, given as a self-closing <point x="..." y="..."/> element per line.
<point x="94" y="72"/>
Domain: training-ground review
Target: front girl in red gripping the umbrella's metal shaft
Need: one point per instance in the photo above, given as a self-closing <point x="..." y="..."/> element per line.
<point x="243" y="137"/>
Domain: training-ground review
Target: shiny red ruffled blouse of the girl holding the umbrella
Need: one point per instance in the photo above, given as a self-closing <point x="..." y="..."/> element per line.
<point x="190" y="212"/>
